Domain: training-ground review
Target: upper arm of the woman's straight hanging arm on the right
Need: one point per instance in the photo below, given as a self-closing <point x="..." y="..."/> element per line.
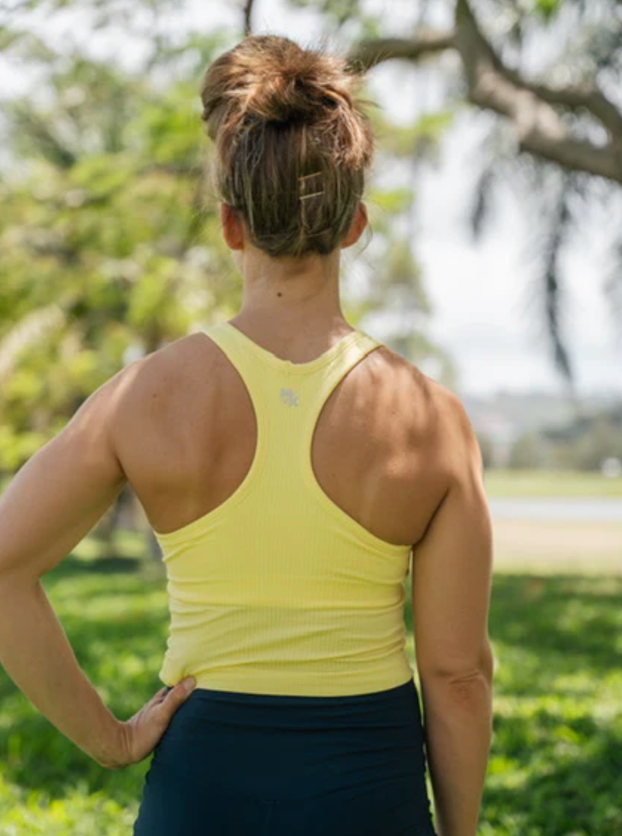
<point x="452" y="566"/>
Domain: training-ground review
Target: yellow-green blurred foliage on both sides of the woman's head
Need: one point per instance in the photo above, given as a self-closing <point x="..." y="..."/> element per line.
<point x="110" y="238"/>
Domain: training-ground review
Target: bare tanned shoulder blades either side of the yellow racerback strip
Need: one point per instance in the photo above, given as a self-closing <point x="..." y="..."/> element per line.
<point x="187" y="435"/>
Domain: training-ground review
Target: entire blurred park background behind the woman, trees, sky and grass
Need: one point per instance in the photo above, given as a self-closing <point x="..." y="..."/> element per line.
<point x="495" y="266"/>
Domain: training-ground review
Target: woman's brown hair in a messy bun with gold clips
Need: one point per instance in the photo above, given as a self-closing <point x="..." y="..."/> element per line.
<point x="292" y="142"/>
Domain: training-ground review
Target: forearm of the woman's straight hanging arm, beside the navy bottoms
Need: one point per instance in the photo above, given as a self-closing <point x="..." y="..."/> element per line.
<point x="458" y="733"/>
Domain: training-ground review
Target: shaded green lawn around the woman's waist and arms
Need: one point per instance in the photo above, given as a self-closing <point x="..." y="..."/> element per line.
<point x="556" y="762"/>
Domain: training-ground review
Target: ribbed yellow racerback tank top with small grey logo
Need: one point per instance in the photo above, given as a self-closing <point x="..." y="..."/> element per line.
<point x="278" y="590"/>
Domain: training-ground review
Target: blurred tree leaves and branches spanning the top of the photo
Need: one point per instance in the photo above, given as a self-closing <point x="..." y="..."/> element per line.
<point x="110" y="243"/>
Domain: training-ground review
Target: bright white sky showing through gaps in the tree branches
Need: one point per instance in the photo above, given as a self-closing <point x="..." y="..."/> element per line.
<point x="486" y="309"/>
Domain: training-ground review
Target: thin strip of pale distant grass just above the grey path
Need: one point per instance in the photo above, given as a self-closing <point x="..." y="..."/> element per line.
<point x="543" y="483"/>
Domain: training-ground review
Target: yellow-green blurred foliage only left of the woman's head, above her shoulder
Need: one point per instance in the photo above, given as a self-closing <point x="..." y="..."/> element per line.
<point x="99" y="231"/>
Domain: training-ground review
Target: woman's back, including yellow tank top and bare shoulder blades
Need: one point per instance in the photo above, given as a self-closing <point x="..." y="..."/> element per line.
<point x="284" y="586"/>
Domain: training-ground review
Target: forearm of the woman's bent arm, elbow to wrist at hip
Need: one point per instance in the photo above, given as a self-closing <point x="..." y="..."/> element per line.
<point x="36" y="654"/>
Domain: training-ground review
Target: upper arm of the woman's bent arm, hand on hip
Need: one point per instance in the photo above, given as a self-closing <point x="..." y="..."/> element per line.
<point x="59" y="494"/>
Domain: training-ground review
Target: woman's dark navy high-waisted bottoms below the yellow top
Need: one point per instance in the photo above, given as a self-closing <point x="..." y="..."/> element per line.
<point x="236" y="764"/>
